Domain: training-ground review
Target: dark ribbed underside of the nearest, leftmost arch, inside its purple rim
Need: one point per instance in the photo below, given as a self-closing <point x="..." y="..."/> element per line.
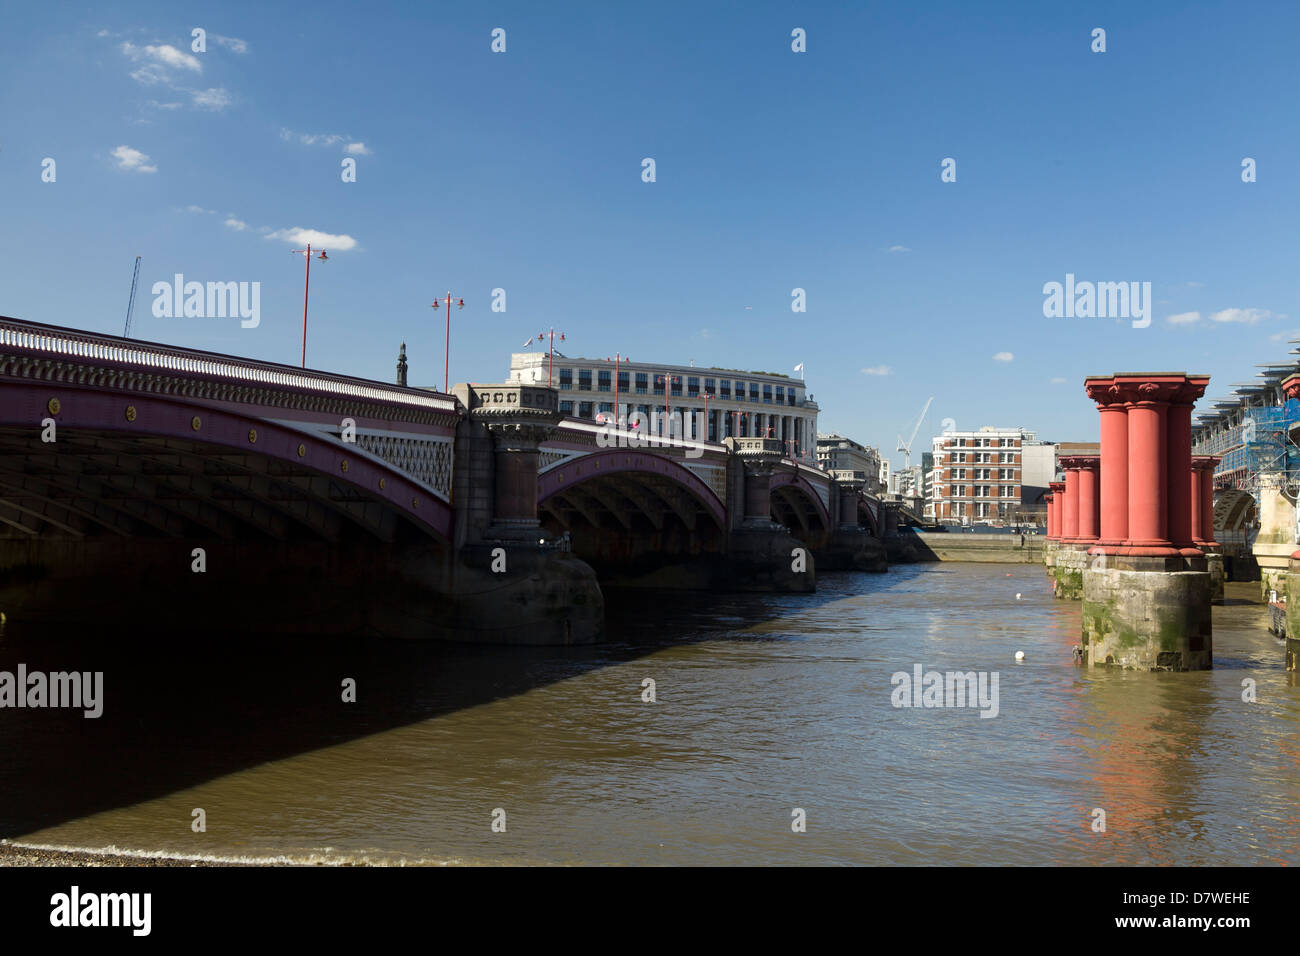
<point x="89" y="485"/>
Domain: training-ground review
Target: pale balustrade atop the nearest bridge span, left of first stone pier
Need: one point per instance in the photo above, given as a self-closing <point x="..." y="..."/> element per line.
<point x="53" y="340"/>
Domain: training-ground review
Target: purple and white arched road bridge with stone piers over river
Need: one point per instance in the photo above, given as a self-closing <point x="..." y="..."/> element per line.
<point x="153" y="487"/>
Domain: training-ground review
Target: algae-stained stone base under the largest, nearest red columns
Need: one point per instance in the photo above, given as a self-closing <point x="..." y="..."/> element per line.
<point x="1147" y="613"/>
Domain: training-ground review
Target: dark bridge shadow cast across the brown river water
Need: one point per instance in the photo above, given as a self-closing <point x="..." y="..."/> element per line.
<point x="181" y="710"/>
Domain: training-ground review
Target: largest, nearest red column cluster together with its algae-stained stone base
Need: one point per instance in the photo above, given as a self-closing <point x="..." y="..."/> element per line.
<point x="1147" y="592"/>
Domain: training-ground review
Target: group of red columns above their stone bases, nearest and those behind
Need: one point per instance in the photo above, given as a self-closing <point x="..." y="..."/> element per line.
<point x="1145" y="495"/>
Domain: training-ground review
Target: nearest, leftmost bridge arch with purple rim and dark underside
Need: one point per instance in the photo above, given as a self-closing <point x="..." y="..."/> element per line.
<point x="132" y="464"/>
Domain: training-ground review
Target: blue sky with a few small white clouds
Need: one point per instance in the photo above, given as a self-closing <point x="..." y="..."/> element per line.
<point x="774" y="171"/>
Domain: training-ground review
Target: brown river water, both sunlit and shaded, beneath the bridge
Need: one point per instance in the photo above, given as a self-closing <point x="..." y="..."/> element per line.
<point x="765" y="704"/>
